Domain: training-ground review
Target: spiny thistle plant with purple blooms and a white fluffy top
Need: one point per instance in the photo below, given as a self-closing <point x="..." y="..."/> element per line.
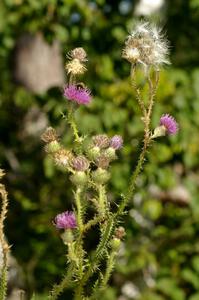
<point x="88" y="166"/>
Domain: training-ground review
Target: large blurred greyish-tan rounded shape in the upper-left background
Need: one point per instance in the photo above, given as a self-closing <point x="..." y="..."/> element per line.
<point x="38" y="65"/>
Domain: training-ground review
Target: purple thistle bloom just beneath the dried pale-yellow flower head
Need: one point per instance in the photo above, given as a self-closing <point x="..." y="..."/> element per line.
<point x="79" y="95"/>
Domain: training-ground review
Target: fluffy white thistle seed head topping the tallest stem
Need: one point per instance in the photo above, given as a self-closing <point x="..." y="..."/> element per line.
<point x="146" y="45"/>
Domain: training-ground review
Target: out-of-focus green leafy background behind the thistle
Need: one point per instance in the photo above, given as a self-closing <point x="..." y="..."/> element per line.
<point x="160" y="253"/>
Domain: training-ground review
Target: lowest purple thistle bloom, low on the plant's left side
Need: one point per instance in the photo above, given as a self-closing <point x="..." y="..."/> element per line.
<point x="65" y="220"/>
